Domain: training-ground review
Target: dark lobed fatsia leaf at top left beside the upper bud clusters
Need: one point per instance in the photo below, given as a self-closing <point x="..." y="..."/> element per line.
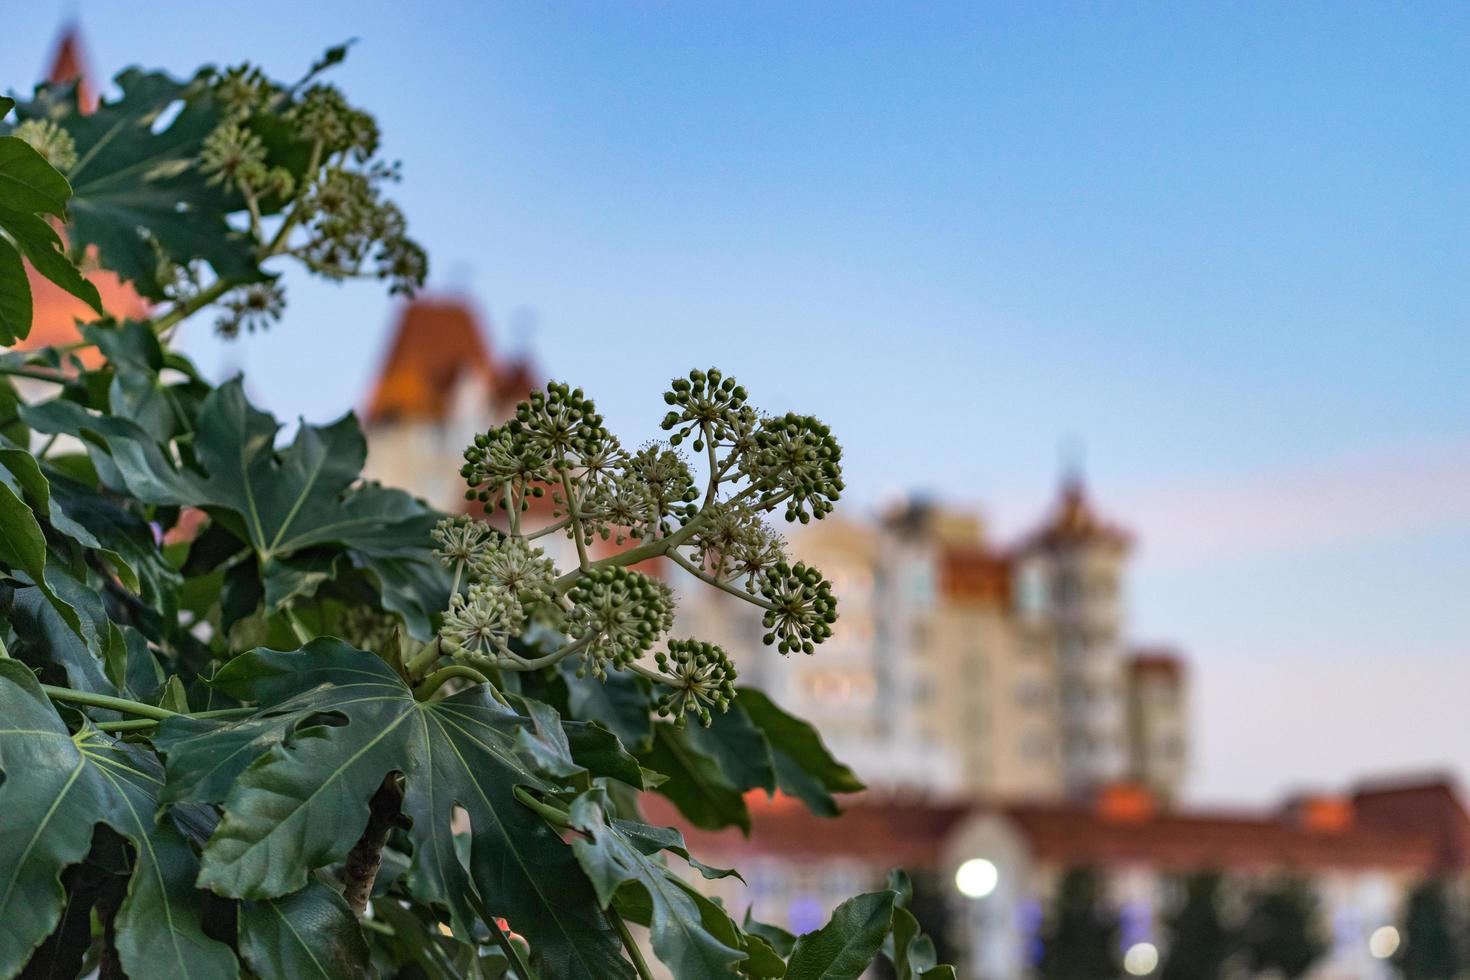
<point x="133" y="187"/>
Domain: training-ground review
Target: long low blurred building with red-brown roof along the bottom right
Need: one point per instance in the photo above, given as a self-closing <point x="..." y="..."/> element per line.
<point x="986" y="872"/>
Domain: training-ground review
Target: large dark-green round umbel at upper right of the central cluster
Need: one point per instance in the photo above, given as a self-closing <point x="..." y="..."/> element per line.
<point x="797" y="456"/>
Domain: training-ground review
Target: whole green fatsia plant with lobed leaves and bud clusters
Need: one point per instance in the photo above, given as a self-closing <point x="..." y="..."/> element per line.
<point x="246" y="705"/>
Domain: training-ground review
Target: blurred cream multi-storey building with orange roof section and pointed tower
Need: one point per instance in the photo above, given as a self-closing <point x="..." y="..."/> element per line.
<point x="959" y="666"/>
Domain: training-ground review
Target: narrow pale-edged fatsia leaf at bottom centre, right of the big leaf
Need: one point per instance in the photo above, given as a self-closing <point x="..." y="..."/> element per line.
<point x="614" y="860"/>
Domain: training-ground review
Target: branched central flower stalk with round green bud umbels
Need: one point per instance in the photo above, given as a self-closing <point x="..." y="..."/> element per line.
<point x="605" y="612"/>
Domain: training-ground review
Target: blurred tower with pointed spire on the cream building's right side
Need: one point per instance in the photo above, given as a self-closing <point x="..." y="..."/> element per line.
<point x="1071" y="591"/>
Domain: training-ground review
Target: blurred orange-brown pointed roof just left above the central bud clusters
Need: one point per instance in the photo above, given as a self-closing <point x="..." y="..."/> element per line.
<point x="436" y="345"/>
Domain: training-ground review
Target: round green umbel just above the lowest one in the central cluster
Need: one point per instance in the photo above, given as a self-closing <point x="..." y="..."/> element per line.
<point x="620" y="615"/>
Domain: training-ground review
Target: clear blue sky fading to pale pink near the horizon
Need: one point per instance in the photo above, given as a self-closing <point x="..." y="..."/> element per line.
<point x="1225" y="248"/>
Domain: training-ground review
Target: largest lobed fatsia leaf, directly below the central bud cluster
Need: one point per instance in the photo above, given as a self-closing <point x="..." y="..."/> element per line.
<point x="296" y="779"/>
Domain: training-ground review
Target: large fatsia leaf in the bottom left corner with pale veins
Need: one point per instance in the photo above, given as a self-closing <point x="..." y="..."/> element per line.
<point x="57" y="788"/>
